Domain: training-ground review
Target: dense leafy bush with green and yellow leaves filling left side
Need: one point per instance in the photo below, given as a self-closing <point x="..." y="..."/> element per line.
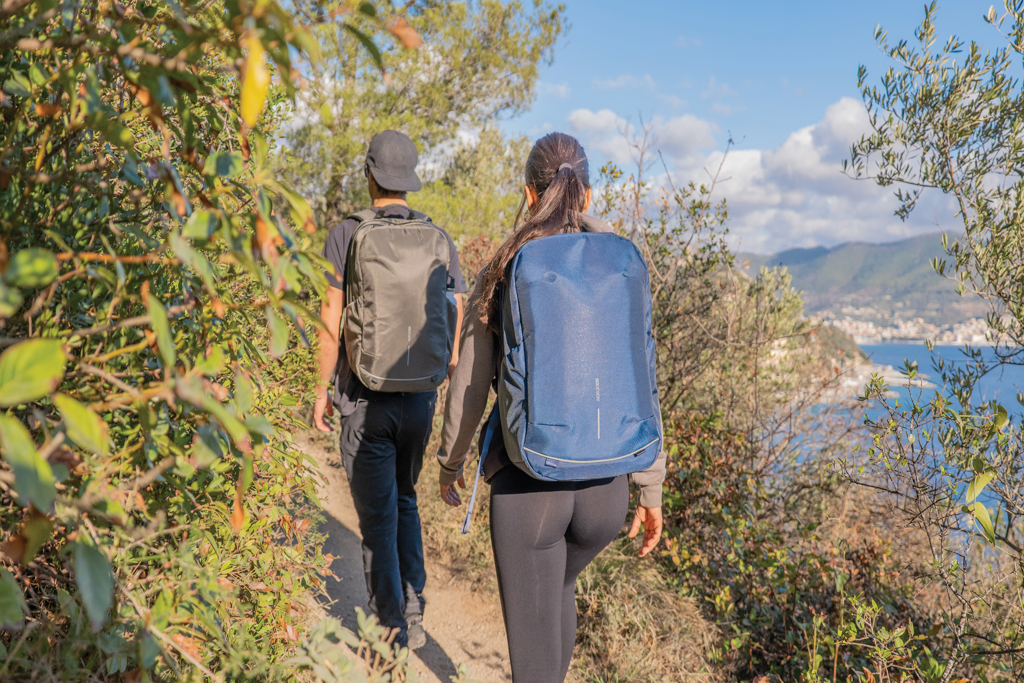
<point x="157" y="521"/>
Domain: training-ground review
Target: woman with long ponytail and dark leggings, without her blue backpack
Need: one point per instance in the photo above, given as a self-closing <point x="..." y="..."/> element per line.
<point x="543" y="534"/>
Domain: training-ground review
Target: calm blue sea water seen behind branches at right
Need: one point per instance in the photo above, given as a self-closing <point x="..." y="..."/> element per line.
<point x="1002" y="385"/>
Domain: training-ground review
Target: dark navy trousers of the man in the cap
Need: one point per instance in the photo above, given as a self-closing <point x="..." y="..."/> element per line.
<point x="382" y="446"/>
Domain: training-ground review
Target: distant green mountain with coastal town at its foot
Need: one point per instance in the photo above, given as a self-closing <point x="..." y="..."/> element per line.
<point x="874" y="282"/>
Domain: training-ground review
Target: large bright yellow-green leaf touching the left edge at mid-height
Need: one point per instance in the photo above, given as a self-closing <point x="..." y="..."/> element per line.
<point x="30" y="371"/>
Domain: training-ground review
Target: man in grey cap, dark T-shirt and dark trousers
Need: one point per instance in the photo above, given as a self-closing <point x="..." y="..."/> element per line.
<point x="383" y="434"/>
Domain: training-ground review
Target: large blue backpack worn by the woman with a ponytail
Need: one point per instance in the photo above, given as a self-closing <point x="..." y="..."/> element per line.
<point x="577" y="388"/>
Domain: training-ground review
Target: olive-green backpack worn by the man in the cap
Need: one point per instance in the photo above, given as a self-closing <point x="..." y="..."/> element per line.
<point x="400" y="304"/>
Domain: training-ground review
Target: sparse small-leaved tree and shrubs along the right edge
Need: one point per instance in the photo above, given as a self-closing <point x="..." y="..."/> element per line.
<point x="948" y="117"/>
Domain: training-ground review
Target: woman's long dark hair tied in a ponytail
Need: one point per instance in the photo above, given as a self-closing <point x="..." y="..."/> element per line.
<point x="559" y="172"/>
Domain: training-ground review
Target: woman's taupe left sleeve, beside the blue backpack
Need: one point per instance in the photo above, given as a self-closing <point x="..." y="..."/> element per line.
<point x="467" y="393"/>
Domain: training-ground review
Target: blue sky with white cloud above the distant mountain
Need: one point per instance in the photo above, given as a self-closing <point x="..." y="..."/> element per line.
<point x="780" y="77"/>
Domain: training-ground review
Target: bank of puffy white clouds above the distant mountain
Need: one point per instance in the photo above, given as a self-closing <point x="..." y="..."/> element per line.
<point x="792" y="196"/>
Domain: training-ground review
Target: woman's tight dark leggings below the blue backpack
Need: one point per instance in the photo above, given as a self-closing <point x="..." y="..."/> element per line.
<point x="544" y="535"/>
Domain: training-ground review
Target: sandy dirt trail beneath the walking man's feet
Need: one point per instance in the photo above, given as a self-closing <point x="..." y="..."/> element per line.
<point x="464" y="626"/>
